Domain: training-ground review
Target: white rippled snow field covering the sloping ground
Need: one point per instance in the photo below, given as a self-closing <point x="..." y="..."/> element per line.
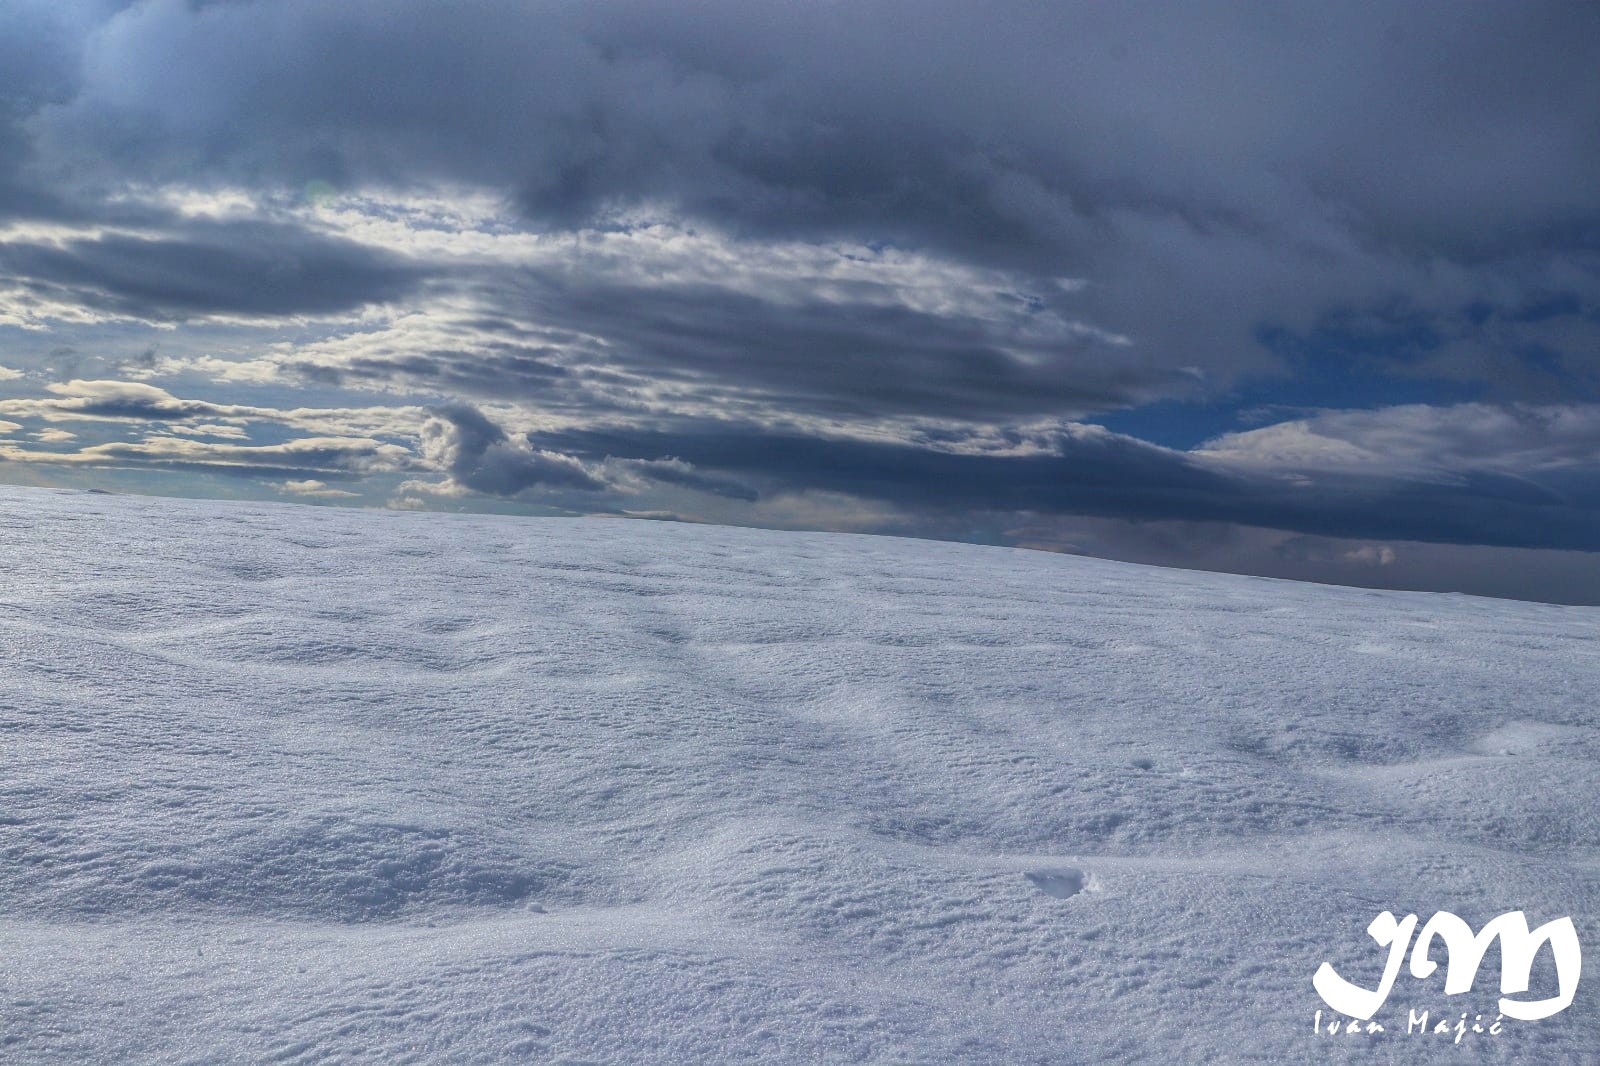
<point x="314" y="785"/>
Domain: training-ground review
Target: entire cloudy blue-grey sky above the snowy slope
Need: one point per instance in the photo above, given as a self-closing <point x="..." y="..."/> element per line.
<point x="1294" y="291"/>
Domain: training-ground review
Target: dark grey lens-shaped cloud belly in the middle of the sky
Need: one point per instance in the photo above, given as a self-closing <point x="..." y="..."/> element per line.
<point x="614" y="340"/>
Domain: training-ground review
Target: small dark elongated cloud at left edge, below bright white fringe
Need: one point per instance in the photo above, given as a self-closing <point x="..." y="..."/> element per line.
<point x="236" y="268"/>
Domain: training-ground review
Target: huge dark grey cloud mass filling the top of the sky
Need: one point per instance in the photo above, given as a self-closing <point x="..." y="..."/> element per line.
<point x="1207" y="169"/>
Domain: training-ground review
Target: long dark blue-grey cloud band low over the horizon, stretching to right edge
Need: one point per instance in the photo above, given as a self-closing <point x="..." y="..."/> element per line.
<point x="1106" y="475"/>
